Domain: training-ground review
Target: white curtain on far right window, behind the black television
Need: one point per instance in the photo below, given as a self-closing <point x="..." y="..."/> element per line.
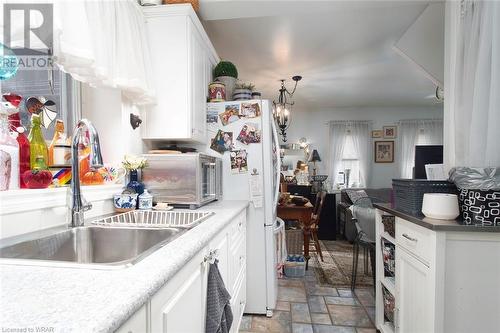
<point x="412" y="133"/>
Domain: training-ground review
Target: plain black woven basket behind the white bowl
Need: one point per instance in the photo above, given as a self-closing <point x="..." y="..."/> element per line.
<point x="409" y="193"/>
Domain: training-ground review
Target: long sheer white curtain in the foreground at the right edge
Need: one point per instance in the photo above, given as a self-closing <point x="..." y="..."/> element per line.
<point x="475" y="80"/>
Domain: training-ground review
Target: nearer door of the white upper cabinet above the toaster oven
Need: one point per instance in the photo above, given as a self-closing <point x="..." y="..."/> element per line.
<point x="199" y="85"/>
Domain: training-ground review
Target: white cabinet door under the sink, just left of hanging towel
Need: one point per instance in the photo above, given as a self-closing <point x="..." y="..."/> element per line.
<point x="180" y="305"/>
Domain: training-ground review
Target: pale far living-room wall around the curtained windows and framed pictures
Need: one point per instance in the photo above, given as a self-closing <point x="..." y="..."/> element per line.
<point x="313" y="126"/>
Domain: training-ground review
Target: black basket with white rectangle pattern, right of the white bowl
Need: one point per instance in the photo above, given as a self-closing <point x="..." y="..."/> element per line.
<point x="480" y="207"/>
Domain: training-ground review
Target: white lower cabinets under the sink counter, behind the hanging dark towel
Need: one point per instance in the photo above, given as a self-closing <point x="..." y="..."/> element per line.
<point x="180" y="305"/>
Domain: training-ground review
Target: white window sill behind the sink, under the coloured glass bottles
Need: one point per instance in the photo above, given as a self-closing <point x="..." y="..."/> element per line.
<point x="16" y="201"/>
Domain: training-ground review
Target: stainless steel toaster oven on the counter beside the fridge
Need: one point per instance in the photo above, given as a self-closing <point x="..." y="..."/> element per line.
<point x="190" y="180"/>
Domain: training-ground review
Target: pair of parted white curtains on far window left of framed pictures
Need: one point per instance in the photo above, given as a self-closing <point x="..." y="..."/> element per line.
<point x="360" y="132"/>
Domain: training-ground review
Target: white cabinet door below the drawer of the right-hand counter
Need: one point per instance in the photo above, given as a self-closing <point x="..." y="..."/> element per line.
<point x="415" y="290"/>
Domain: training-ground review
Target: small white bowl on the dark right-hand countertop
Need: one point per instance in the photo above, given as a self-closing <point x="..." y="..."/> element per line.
<point x="442" y="206"/>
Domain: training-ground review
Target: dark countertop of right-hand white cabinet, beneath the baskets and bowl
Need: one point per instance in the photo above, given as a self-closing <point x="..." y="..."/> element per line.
<point x="435" y="224"/>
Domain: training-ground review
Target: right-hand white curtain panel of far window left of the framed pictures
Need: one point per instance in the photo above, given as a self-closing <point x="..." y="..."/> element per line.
<point x="361" y="135"/>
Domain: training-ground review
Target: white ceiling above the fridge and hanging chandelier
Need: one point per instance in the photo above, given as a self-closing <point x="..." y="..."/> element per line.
<point x="343" y="49"/>
